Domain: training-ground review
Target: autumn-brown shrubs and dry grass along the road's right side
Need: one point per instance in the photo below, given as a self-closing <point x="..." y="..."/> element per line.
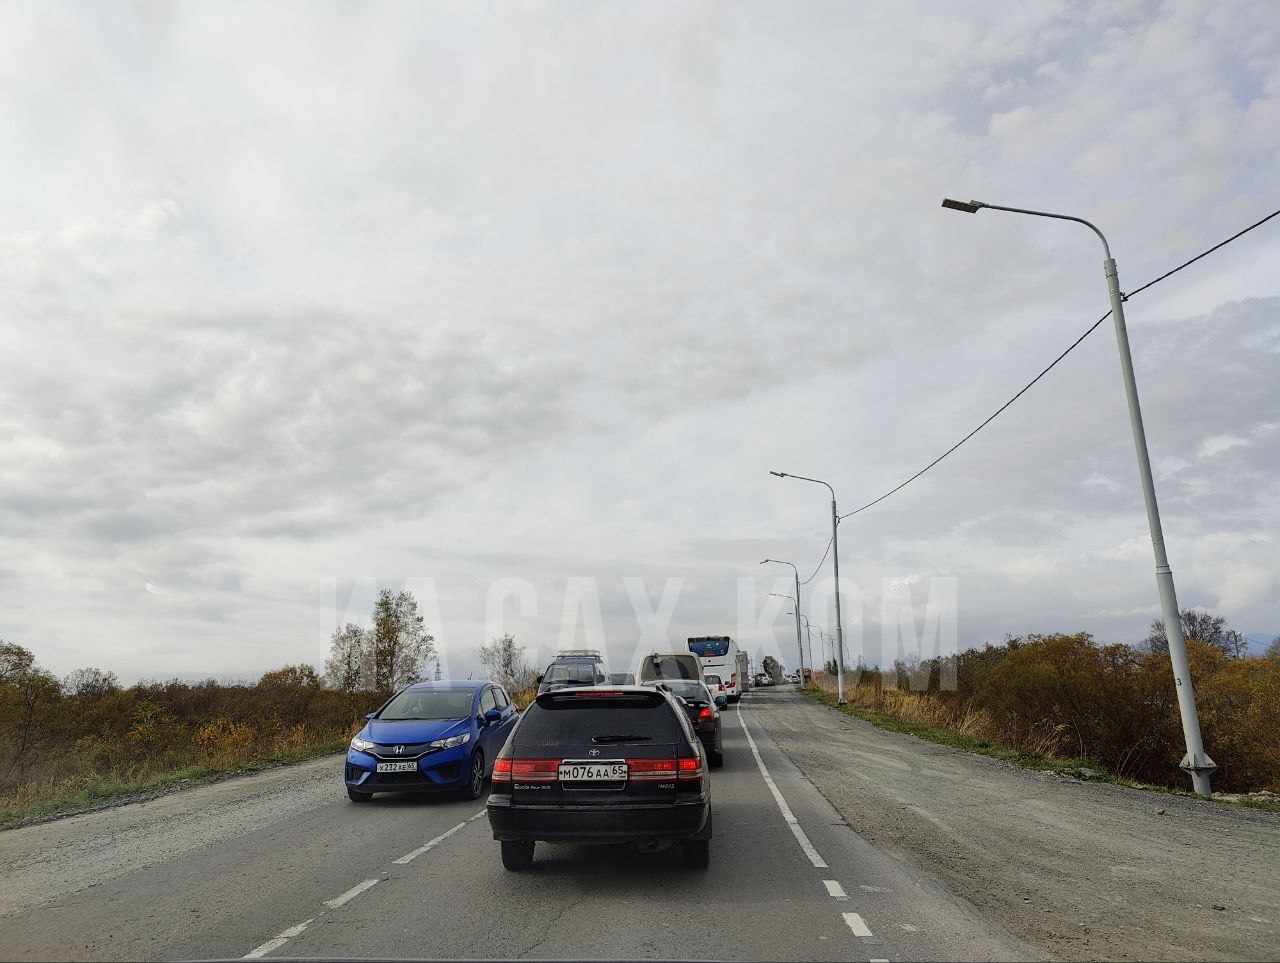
<point x="1068" y="697"/>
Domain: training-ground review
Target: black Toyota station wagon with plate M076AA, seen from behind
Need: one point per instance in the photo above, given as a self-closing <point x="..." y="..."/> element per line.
<point x="607" y="765"/>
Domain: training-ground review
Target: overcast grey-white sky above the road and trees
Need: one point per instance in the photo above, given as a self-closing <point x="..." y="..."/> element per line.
<point x="296" y="295"/>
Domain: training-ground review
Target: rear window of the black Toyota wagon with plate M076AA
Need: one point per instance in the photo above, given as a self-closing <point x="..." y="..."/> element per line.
<point x="601" y="722"/>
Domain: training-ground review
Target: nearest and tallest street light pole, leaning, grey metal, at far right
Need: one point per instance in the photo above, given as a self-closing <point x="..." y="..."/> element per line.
<point x="1196" y="763"/>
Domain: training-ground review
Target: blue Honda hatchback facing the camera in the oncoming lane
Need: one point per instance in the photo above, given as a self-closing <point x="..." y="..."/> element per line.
<point x="431" y="737"/>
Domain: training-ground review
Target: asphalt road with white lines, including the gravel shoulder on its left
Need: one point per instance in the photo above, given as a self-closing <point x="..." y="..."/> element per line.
<point x="282" y="865"/>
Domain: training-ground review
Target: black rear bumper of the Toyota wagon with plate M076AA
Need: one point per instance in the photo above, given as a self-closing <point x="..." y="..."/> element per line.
<point x="597" y="824"/>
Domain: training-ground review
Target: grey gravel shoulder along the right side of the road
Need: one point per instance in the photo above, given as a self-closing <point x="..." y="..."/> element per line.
<point x="1077" y="870"/>
